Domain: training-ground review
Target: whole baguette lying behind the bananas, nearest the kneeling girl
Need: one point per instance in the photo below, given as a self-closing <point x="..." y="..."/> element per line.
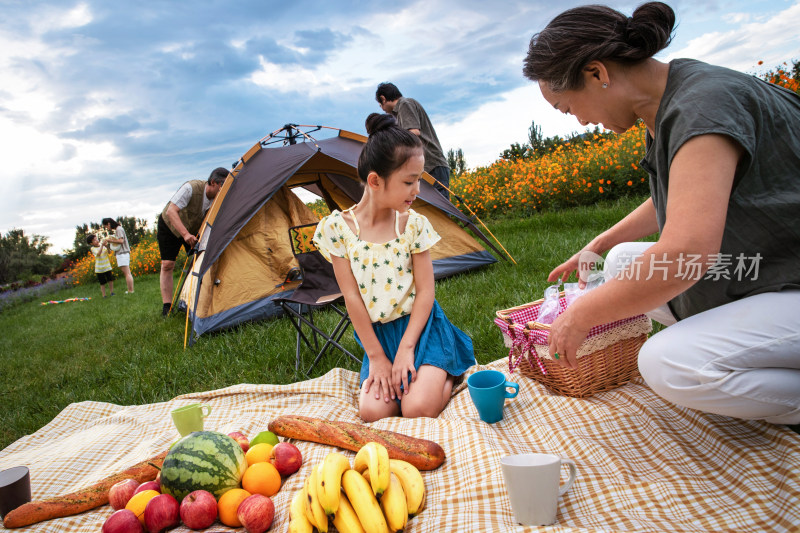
<point x="424" y="454"/>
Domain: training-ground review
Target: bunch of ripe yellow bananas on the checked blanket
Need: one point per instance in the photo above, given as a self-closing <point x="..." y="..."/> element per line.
<point x="377" y="495"/>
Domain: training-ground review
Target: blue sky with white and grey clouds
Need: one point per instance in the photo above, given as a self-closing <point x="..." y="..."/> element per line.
<point x="107" y="107"/>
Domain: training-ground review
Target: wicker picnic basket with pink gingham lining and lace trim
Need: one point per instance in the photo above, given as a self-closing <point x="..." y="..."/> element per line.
<point x="607" y="358"/>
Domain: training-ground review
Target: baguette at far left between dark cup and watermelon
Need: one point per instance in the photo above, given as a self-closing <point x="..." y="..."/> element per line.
<point x="81" y="500"/>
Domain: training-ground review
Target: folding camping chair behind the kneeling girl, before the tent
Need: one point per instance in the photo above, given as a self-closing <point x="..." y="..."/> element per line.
<point x="317" y="290"/>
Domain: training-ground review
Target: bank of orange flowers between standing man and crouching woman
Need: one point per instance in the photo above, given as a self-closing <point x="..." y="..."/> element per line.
<point x="578" y="173"/>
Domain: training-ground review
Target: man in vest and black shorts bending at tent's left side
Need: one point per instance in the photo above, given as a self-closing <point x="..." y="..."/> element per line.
<point x="179" y="223"/>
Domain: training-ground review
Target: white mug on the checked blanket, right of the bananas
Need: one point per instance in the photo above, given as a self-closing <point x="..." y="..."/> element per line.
<point x="533" y="484"/>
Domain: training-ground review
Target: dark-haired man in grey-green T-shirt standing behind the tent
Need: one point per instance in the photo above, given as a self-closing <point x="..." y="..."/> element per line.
<point x="410" y="115"/>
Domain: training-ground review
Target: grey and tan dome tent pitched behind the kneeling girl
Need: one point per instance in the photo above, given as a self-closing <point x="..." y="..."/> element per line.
<point x="245" y="260"/>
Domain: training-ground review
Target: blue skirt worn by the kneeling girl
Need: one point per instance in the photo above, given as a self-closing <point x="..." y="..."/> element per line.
<point x="441" y="344"/>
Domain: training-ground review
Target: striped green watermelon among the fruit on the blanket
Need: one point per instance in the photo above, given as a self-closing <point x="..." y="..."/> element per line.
<point x="203" y="460"/>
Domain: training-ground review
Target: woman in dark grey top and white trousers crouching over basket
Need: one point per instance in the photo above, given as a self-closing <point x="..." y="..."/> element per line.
<point x="723" y="154"/>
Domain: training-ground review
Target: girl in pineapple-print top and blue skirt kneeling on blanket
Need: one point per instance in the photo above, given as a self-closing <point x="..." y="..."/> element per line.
<point x="379" y="249"/>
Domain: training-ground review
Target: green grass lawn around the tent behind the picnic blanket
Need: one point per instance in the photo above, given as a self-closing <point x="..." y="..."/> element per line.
<point x="120" y="350"/>
